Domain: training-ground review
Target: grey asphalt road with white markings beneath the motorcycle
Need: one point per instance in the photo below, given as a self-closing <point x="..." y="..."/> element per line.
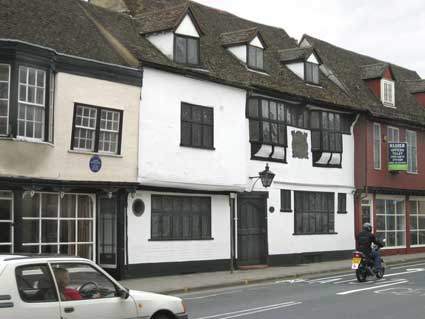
<point x="399" y="295"/>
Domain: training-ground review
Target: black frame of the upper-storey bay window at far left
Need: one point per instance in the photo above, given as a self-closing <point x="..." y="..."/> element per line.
<point x="48" y="119"/>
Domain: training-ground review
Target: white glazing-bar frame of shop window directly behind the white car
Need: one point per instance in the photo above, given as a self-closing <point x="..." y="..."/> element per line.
<point x="58" y="218"/>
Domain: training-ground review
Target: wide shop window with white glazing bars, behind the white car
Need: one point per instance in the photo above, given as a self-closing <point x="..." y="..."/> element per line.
<point x="58" y="224"/>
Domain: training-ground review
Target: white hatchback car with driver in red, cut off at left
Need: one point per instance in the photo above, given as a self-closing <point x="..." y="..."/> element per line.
<point x="70" y="288"/>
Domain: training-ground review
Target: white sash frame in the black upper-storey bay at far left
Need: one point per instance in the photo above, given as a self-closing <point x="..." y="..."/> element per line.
<point x="31" y="104"/>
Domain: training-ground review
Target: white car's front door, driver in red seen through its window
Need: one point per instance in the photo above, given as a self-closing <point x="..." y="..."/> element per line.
<point x="85" y="292"/>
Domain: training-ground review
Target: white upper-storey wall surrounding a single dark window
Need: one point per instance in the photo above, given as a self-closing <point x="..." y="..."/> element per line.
<point x="163" y="162"/>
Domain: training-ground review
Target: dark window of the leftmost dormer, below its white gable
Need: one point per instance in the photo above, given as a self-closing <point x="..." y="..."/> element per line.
<point x="186" y="49"/>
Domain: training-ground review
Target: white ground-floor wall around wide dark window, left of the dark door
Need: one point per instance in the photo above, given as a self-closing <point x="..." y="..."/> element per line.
<point x="142" y="251"/>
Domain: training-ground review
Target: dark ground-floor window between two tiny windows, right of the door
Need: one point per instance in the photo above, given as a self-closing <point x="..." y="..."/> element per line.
<point x="314" y="213"/>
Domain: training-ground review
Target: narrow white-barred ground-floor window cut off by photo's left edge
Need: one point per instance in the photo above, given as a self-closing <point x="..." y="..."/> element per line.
<point x="6" y="221"/>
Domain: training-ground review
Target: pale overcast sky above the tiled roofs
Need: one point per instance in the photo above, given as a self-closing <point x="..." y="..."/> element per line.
<point x="390" y="30"/>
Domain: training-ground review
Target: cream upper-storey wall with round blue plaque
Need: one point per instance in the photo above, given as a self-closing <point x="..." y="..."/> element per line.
<point x="42" y="160"/>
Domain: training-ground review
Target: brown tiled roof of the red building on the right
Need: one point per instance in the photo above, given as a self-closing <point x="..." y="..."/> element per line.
<point x="348" y="67"/>
